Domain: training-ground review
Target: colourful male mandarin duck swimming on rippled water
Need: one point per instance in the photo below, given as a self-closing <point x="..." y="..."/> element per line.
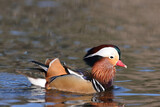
<point x="102" y="59"/>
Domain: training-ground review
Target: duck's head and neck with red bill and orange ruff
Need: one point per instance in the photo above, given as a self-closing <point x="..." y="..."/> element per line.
<point x="103" y="60"/>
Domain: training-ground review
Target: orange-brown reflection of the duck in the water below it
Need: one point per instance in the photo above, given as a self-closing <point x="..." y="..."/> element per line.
<point x="102" y="99"/>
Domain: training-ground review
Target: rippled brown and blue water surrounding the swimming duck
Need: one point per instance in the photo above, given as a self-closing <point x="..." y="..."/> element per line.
<point x="36" y="30"/>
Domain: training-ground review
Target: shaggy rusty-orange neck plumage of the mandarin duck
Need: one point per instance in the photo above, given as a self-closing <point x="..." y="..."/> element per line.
<point x="103" y="71"/>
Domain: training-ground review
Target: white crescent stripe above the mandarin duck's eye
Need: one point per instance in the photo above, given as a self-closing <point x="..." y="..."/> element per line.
<point x="105" y="52"/>
